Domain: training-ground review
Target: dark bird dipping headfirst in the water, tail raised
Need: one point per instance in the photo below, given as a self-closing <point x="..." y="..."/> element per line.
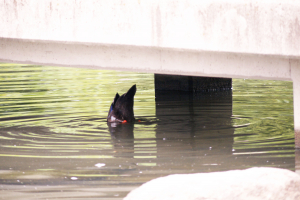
<point x="121" y="109"/>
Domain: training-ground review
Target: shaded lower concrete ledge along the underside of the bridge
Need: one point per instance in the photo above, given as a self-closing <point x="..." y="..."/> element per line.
<point x="145" y="59"/>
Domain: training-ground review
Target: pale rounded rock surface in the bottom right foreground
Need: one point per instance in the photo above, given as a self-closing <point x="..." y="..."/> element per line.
<point x="250" y="184"/>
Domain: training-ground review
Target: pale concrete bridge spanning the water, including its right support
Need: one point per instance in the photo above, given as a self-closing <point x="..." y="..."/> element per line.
<point x="230" y="39"/>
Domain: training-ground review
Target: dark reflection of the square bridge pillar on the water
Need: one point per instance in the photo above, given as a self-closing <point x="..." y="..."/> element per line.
<point x="197" y="130"/>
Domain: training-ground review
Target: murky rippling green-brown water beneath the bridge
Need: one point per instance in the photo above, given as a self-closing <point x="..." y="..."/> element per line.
<point x="55" y="142"/>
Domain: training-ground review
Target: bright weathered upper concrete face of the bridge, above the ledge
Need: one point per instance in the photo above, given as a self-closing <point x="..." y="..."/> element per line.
<point x="258" y="27"/>
